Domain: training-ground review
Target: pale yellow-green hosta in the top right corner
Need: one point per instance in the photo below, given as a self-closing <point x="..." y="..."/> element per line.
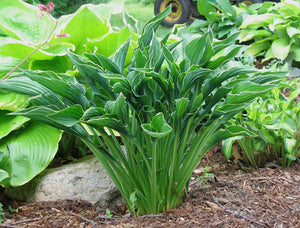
<point x="275" y="33"/>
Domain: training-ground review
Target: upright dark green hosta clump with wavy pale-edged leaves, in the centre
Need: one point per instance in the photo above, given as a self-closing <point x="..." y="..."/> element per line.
<point x="164" y="110"/>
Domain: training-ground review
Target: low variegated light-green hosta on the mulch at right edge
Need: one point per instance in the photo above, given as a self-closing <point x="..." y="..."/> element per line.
<point x="275" y="125"/>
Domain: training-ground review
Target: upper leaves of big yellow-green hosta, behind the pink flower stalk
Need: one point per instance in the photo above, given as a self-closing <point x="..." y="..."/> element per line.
<point x="87" y="30"/>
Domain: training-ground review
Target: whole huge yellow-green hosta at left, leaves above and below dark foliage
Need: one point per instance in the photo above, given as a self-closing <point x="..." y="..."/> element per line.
<point x="31" y="36"/>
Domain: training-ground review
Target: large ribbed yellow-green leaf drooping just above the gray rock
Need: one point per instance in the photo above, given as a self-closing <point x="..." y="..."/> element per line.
<point x="30" y="151"/>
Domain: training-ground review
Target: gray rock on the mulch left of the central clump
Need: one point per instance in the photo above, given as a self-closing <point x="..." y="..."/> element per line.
<point x="84" y="180"/>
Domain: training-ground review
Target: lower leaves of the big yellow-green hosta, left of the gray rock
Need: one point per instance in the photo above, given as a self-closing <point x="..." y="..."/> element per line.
<point x="26" y="147"/>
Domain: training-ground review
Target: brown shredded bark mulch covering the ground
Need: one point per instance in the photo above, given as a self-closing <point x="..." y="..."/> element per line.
<point x="222" y="195"/>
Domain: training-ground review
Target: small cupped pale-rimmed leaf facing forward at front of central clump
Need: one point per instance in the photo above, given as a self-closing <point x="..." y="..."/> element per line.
<point x="158" y="127"/>
